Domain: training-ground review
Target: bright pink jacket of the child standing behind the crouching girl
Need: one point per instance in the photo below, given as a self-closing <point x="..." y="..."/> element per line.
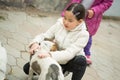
<point x="99" y="7"/>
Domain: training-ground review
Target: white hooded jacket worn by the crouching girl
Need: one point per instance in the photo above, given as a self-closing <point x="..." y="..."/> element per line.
<point x="70" y="43"/>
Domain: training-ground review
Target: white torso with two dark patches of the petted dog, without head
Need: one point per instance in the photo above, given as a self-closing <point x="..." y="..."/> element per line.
<point x="47" y="68"/>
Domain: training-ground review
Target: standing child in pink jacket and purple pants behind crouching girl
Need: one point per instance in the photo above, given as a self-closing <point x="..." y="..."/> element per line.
<point x="94" y="10"/>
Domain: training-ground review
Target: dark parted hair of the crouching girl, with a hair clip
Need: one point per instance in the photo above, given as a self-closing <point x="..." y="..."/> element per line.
<point x="77" y="9"/>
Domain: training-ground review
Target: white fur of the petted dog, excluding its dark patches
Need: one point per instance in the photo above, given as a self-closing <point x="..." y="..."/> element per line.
<point x="44" y="63"/>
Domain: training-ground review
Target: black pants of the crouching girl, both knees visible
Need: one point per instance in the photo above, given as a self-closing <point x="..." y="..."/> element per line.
<point x="77" y="66"/>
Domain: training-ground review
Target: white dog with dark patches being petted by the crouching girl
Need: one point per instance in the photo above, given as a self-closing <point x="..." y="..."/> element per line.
<point x="47" y="68"/>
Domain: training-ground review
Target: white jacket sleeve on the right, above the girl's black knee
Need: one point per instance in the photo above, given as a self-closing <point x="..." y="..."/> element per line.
<point x="64" y="56"/>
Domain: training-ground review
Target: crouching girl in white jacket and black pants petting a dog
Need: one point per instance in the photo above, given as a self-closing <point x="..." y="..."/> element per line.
<point x="71" y="35"/>
